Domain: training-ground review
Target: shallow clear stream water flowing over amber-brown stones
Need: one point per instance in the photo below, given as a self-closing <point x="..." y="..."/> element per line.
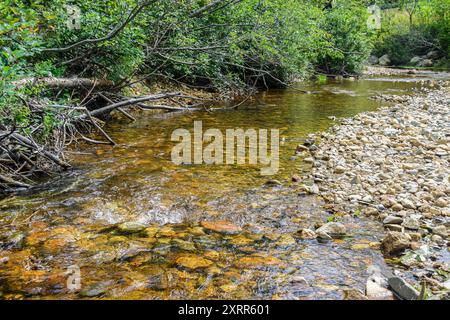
<point x="69" y="224"/>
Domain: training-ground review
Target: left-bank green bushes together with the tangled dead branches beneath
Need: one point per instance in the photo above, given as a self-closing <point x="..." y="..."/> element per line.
<point x="62" y="59"/>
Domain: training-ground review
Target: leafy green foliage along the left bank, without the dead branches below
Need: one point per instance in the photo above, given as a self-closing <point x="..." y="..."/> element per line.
<point x="248" y="43"/>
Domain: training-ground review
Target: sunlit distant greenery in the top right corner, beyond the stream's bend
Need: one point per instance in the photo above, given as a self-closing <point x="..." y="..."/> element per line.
<point x="415" y="33"/>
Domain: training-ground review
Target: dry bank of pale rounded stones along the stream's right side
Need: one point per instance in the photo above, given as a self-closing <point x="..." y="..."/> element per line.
<point x="393" y="165"/>
